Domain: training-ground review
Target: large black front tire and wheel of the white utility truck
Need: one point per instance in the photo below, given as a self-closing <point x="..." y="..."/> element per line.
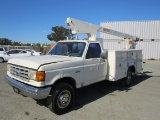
<point x="61" y="99"/>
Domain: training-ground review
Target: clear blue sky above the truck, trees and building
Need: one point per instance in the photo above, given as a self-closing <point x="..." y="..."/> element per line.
<point x="29" y="21"/>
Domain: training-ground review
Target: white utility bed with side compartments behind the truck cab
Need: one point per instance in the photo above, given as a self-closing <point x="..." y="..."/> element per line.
<point x="119" y="61"/>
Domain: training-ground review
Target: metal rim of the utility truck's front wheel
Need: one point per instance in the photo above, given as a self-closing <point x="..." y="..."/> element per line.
<point x="64" y="99"/>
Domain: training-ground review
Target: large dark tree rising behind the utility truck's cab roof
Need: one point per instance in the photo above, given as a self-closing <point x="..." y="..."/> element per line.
<point x="60" y="33"/>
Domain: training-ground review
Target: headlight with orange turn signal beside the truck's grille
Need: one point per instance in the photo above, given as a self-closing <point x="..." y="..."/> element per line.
<point x="36" y="75"/>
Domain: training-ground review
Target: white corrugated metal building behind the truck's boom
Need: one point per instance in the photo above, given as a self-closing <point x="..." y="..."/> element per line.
<point x="147" y="31"/>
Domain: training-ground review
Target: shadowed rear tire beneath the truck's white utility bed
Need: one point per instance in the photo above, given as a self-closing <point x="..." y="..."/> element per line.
<point x="128" y="79"/>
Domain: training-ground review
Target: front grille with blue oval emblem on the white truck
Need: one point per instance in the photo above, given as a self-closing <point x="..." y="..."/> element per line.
<point x="19" y="72"/>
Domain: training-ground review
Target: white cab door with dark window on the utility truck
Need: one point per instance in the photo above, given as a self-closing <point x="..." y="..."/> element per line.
<point x="94" y="66"/>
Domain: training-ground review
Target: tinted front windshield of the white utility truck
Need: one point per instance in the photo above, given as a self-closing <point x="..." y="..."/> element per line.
<point x="74" y="49"/>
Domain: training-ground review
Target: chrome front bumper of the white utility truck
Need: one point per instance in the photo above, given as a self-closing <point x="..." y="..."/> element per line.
<point x="29" y="91"/>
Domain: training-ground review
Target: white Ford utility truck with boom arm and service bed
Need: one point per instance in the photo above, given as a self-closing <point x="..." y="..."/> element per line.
<point x="73" y="64"/>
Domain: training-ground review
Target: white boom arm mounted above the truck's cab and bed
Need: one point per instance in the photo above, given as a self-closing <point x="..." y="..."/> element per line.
<point x="81" y="27"/>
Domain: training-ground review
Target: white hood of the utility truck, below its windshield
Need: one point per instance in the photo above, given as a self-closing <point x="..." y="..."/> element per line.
<point x="35" y="61"/>
